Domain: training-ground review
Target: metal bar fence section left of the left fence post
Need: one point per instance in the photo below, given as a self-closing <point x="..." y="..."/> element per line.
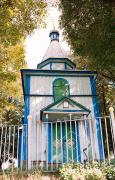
<point x="11" y="147"/>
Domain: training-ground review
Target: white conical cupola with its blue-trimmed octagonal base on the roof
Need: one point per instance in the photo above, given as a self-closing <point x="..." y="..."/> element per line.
<point x="55" y="57"/>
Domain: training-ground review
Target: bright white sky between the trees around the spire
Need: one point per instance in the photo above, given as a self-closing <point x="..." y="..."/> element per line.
<point x="37" y="43"/>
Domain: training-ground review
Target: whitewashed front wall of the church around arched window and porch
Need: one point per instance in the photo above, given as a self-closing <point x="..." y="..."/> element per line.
<point x="43" y="85"/>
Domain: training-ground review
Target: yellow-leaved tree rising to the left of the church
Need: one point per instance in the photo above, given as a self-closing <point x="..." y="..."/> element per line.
<point x="18" y="19"/>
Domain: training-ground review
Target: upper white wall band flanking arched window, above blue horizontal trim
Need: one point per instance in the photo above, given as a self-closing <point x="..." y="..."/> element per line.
<point x="44" y="85"/>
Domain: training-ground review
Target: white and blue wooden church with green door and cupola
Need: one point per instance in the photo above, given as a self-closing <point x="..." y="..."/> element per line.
<point x="62" y="102"/>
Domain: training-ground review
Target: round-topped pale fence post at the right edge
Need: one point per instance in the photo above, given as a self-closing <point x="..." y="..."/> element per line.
<point x="112" y="121"/>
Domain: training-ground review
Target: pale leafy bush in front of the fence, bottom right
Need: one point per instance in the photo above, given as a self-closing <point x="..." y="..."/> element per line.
<point x="88" y="171"/>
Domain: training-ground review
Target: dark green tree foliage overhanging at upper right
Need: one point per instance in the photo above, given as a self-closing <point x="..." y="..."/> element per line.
<point x="89" y="28"/>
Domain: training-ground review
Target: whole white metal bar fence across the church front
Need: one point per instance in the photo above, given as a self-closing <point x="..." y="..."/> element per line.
<point x="64" y="143"/>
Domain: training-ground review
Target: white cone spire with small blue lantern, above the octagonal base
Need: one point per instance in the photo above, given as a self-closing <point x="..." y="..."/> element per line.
<point x="54" y="50"/>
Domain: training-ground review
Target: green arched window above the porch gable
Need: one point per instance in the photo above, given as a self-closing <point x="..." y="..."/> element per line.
<point x="60" y="88"/>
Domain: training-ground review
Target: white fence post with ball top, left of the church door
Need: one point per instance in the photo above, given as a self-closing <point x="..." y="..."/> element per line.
<point x="29" y="141"/>
